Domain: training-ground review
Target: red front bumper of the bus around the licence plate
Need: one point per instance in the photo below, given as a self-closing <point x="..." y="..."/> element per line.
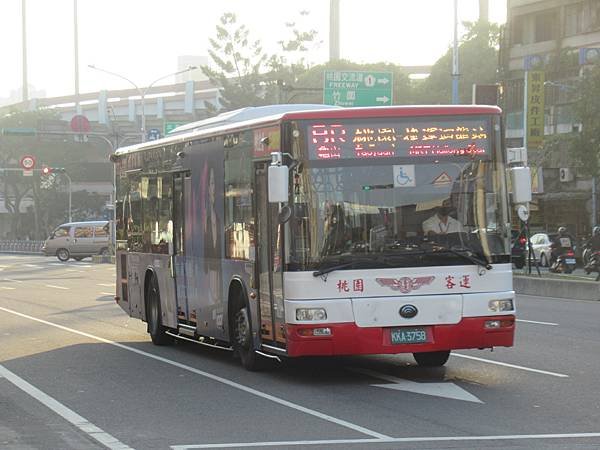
<point x="349" y="339"/>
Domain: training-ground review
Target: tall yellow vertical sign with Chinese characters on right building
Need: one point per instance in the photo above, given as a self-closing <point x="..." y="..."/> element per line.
<point x="534" y="109"/>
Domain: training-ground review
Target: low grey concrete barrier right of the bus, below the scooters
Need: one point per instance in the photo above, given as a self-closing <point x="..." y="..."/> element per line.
<point x="548" y="287"/>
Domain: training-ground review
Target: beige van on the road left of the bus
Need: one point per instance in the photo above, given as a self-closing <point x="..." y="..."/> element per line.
<point x="78" y="240"/>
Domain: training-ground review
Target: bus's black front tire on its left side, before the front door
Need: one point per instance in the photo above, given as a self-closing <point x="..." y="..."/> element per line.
<point x="241" y="337"/>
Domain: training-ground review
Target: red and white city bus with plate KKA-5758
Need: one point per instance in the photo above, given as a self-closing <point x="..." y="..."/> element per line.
<point x="295" y="230"/>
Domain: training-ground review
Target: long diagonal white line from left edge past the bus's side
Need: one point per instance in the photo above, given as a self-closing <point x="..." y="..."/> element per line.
<point x="210" y="376"/>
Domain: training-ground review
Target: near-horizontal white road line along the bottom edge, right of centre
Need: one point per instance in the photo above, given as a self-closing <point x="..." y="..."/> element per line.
<point x="393" y="440"/>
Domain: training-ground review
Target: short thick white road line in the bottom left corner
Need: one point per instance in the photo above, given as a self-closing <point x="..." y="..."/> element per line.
<point x="71" y="416"/>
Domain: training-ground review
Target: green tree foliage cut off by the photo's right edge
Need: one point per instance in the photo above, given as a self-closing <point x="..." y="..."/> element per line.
<point x="585" y="146"/>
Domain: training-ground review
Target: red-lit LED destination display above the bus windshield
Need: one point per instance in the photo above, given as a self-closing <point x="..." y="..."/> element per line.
<point x="405" y="138"/>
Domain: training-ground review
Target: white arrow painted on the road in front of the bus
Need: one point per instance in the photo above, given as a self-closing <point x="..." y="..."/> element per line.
<point x="446" y="390"/>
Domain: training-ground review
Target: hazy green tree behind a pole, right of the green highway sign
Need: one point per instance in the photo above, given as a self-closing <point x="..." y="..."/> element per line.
<point x="478" y="60"/>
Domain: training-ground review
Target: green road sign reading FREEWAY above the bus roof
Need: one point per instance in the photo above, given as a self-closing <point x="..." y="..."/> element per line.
<point x="356" y="88"/>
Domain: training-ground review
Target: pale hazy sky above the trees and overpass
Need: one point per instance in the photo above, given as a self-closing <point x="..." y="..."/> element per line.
<point x="141" y="39"/>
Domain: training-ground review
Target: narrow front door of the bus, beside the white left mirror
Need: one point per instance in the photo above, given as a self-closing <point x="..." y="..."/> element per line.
<point x="269" y="266"/>
